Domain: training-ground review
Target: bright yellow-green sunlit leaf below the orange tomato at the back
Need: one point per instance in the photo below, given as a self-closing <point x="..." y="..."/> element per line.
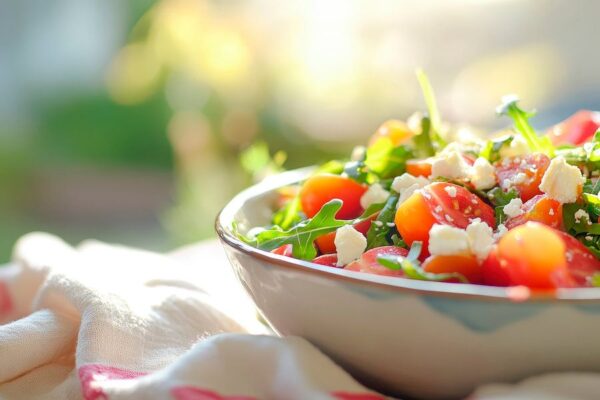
<point x="385" y="160"/>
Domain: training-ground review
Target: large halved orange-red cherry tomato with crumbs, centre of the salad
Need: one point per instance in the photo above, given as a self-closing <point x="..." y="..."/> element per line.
<point x="439" y="203"/>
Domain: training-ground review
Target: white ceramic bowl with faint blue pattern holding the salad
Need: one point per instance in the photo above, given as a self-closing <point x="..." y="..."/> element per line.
<point x="405" y="337"/>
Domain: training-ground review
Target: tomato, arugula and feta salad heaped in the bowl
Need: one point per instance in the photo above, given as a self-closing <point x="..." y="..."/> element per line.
<point x="426" y="201"/>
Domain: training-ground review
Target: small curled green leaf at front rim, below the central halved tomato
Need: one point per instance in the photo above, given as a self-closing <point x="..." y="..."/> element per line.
<point x="412" y="268"/>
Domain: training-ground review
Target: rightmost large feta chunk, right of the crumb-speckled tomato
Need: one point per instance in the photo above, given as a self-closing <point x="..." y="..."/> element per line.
<point x="562" y="182"/>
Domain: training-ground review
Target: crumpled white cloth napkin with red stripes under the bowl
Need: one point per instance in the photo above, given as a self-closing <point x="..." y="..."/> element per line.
<point x="107" y="322"/>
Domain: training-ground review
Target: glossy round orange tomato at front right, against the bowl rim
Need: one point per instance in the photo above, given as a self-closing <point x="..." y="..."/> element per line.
<point x="534" y="255"/>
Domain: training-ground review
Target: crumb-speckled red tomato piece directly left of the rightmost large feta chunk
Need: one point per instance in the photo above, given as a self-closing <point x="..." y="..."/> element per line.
<point x="523" y="173"/>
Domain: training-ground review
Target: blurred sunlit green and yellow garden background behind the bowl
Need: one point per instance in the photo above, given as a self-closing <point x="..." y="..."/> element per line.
<point x="135" y="121"/>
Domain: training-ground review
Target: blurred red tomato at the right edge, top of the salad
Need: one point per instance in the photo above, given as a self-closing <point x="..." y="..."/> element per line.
<point x="577" y="129"/>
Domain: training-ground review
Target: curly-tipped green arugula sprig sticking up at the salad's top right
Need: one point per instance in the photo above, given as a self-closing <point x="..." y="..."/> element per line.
<point x="520" y="118"/>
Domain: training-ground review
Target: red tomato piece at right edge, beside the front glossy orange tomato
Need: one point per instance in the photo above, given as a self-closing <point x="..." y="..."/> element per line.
<point x="581" y="263"/>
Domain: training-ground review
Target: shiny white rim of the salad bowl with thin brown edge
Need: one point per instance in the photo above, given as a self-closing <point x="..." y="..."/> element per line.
<point x="513" y="294"/>
